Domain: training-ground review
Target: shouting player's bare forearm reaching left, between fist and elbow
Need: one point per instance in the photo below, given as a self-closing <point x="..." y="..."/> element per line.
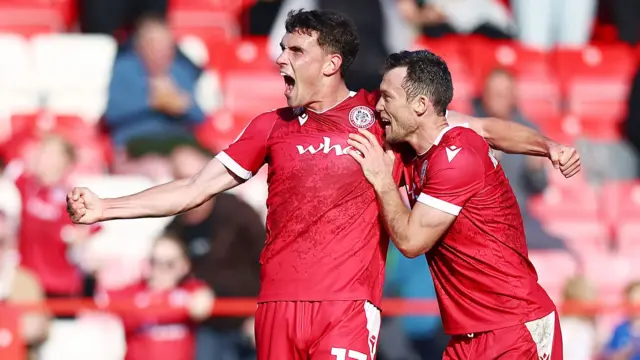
<point x="163" y="200"/>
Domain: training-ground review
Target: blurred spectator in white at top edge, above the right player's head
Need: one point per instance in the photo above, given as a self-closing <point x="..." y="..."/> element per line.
<point x="437" y="18"/>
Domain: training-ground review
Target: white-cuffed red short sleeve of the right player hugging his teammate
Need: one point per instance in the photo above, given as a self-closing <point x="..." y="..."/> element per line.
<point x="453" y="177"/>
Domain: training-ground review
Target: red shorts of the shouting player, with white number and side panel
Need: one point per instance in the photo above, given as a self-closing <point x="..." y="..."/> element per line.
<point x="327" y="330"/>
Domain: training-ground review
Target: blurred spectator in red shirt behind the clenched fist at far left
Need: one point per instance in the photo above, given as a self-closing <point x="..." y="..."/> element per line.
<point x="47" y="237"/>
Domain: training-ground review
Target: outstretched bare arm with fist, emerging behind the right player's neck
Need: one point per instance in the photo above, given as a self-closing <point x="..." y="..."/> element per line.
<point x="513" y="138"/>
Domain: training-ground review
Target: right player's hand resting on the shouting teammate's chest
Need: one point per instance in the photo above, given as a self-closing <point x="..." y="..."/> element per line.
<point x="376" y="161"/>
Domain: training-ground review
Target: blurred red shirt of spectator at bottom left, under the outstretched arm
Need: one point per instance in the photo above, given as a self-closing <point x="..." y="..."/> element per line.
<point x="166" y="335"/>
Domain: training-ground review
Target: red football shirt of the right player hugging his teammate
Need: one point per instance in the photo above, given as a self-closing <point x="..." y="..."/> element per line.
<point x="481" y="271"/>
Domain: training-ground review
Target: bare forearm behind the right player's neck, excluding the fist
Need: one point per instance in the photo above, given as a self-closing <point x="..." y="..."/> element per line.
<point x="514" y="138"/>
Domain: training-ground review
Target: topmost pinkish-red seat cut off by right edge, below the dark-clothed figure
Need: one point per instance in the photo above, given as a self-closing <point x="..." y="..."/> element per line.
<point x="621" y="201"/>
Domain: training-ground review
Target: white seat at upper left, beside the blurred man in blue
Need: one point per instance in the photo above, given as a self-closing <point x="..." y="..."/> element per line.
<point x="69" y="62"/>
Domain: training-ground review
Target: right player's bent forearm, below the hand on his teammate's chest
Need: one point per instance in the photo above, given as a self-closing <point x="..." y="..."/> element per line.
<point x="396" y="218"/>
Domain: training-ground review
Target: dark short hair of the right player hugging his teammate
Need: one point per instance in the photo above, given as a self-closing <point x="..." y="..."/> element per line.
<point x="427" y="74"/>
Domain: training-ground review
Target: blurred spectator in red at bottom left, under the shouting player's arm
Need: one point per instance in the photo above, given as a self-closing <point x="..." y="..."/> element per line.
<point x="169" y="334"/>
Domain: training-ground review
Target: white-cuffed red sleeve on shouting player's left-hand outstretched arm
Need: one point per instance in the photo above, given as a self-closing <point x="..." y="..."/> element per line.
<point x="246" y="155"/>
